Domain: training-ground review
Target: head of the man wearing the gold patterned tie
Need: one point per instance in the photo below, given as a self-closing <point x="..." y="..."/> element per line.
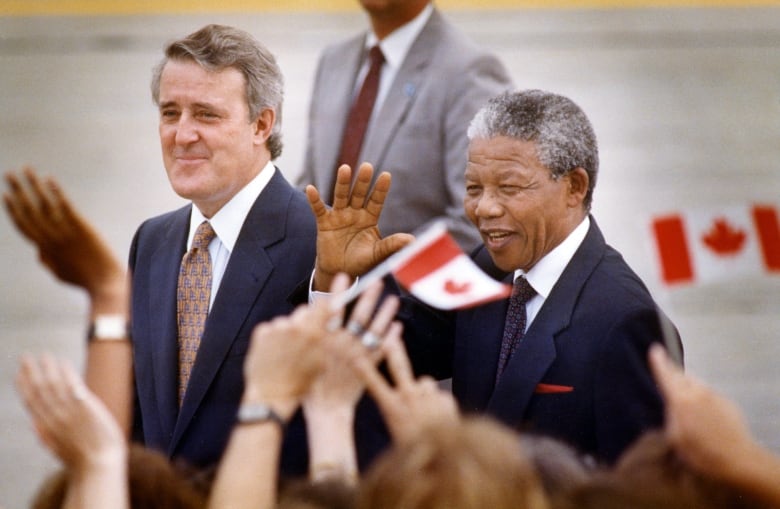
<point x="219" y="92"/>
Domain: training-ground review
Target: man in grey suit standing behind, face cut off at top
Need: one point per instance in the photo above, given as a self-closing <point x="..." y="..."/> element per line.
<point x="432" y="82"/>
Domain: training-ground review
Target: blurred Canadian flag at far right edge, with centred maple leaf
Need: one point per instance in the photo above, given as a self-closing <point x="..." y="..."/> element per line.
<point x="704" y="245"/>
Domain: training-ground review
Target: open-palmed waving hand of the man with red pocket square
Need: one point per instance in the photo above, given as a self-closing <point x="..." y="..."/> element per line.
<point x="348" y="239"/>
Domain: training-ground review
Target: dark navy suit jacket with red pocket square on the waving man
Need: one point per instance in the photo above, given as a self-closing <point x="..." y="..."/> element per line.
<point x="587" y="347"/>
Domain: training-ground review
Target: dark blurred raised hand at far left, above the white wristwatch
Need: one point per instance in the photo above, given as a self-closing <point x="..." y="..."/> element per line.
<point x="67" y="243"/>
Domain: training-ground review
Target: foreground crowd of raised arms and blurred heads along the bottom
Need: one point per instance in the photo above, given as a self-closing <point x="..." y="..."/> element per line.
<point x="317" y="359"/>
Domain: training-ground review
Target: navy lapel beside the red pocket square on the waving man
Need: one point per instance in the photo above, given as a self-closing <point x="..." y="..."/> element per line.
<point x="537" y="351"/>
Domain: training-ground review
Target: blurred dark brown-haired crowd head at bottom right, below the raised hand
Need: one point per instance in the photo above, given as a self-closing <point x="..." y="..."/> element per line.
<point x="650" y="474"/>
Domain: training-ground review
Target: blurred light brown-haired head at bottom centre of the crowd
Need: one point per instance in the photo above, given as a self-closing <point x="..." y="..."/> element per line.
<point x="469" y="464"/>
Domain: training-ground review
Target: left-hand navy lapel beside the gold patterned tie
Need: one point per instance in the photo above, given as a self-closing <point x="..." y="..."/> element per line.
<point x="164" y="274"/>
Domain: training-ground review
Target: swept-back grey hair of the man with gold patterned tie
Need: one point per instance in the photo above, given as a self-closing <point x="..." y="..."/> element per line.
<point x="218" y="47"/>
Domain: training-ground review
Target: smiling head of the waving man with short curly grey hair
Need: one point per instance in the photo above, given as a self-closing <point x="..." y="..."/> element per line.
<point x="532" y="167"/>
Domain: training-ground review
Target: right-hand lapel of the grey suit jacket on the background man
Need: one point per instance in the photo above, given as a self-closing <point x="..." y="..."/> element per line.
<point x="402" y="93"/>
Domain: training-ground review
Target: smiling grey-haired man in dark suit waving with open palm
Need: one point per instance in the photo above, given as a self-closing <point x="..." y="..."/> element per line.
<point x="566" y="355"/>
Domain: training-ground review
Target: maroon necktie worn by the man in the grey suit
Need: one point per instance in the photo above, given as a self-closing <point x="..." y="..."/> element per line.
<point x="360" y="113"/>
